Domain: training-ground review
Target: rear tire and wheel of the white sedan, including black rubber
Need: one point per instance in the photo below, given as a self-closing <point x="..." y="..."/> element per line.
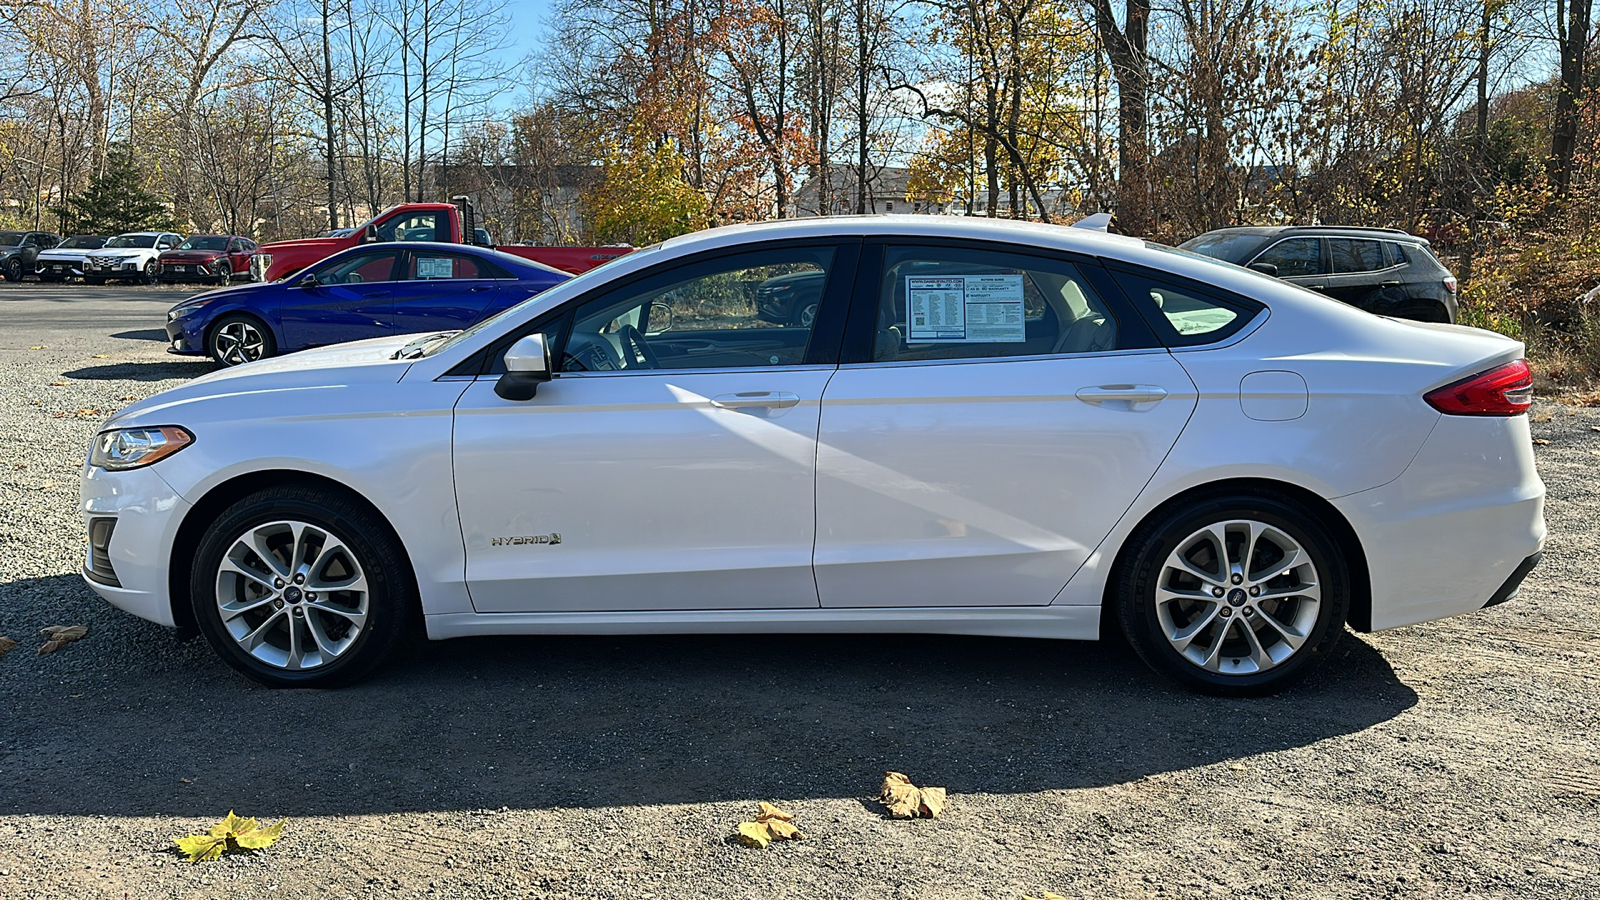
<point x="1209" y="629"/>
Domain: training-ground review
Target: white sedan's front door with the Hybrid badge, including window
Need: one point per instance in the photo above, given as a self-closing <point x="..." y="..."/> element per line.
<point x="671" y="462"/>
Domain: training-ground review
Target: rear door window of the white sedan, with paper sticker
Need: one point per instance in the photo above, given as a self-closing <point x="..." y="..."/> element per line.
<point x="967" y="303"/>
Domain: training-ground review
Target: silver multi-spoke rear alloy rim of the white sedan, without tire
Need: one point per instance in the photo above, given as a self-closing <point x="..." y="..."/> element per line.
<point x="1238" y="598"/>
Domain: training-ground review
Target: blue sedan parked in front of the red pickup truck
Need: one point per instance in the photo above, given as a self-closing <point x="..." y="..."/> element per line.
<point x="364" y="292"/>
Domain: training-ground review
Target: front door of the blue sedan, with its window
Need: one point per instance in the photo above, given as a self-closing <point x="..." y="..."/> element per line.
<point x="345" y="299"/>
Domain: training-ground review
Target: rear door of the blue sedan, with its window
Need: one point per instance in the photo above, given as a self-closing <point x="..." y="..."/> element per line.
<point x="441" y="291"/>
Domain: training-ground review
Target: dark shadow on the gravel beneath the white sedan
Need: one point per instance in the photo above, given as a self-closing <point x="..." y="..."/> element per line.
<point x="129" y="721"/>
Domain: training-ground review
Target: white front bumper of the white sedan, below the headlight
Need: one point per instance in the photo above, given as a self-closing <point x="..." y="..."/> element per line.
<point x="148" y="513"/>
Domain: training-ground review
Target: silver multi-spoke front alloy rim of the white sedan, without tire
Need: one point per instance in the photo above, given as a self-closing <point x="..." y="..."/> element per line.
<point x="292" y="595"/>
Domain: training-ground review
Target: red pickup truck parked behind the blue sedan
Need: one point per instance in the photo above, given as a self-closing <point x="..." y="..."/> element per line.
<point x="415" y="222"/>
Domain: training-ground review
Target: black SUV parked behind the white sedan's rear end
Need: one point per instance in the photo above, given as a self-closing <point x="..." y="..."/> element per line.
<point x="1378" y="270"/>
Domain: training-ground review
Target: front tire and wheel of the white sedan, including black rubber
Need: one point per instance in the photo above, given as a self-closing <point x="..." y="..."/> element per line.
<point x="266" y="617"/>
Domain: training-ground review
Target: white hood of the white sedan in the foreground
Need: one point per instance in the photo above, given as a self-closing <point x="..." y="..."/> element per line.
<point x="359" y="363"/>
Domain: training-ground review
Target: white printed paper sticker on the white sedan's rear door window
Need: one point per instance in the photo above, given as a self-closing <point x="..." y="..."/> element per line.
<point x="966" y="310"/>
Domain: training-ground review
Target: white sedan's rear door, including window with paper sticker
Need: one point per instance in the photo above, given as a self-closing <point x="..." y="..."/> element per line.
<point x="1002" y="414"/>
